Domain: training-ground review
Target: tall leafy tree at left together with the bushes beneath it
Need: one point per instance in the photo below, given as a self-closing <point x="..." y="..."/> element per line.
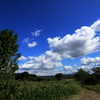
<point x="8" y="64"/>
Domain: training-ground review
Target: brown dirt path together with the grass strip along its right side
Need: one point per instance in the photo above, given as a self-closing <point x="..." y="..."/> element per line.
<point x="88" y="92"/>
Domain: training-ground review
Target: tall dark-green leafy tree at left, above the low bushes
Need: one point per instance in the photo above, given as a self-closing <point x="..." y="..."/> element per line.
<point x="8" y="51"/>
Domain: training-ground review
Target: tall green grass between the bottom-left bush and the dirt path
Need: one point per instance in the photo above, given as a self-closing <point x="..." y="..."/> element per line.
<point x="48" y="90"/>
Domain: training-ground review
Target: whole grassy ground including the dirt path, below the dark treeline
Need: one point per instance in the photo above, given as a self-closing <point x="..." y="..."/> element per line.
<point x="66" y="89"/>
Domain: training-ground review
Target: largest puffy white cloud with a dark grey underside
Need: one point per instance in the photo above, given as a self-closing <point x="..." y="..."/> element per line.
<point x="81" y="43"/>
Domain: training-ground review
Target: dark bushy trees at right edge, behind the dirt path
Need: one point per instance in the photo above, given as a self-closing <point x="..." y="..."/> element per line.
<point x="88" y="78"/>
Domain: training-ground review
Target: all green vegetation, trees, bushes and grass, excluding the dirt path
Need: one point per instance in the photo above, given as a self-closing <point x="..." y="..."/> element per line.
<point x="25" y="86"/>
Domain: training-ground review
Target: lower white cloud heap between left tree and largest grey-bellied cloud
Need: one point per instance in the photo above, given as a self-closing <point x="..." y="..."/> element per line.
<point x="42" y="62"/>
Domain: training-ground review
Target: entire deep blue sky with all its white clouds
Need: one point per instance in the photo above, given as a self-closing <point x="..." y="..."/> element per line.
<point x="55" y="36"/>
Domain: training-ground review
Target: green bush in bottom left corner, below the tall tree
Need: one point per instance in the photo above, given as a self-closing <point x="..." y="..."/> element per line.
<point x="8" y="88"/>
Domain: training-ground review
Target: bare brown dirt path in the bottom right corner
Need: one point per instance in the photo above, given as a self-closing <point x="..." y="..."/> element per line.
<point x="86" y="95"/>
